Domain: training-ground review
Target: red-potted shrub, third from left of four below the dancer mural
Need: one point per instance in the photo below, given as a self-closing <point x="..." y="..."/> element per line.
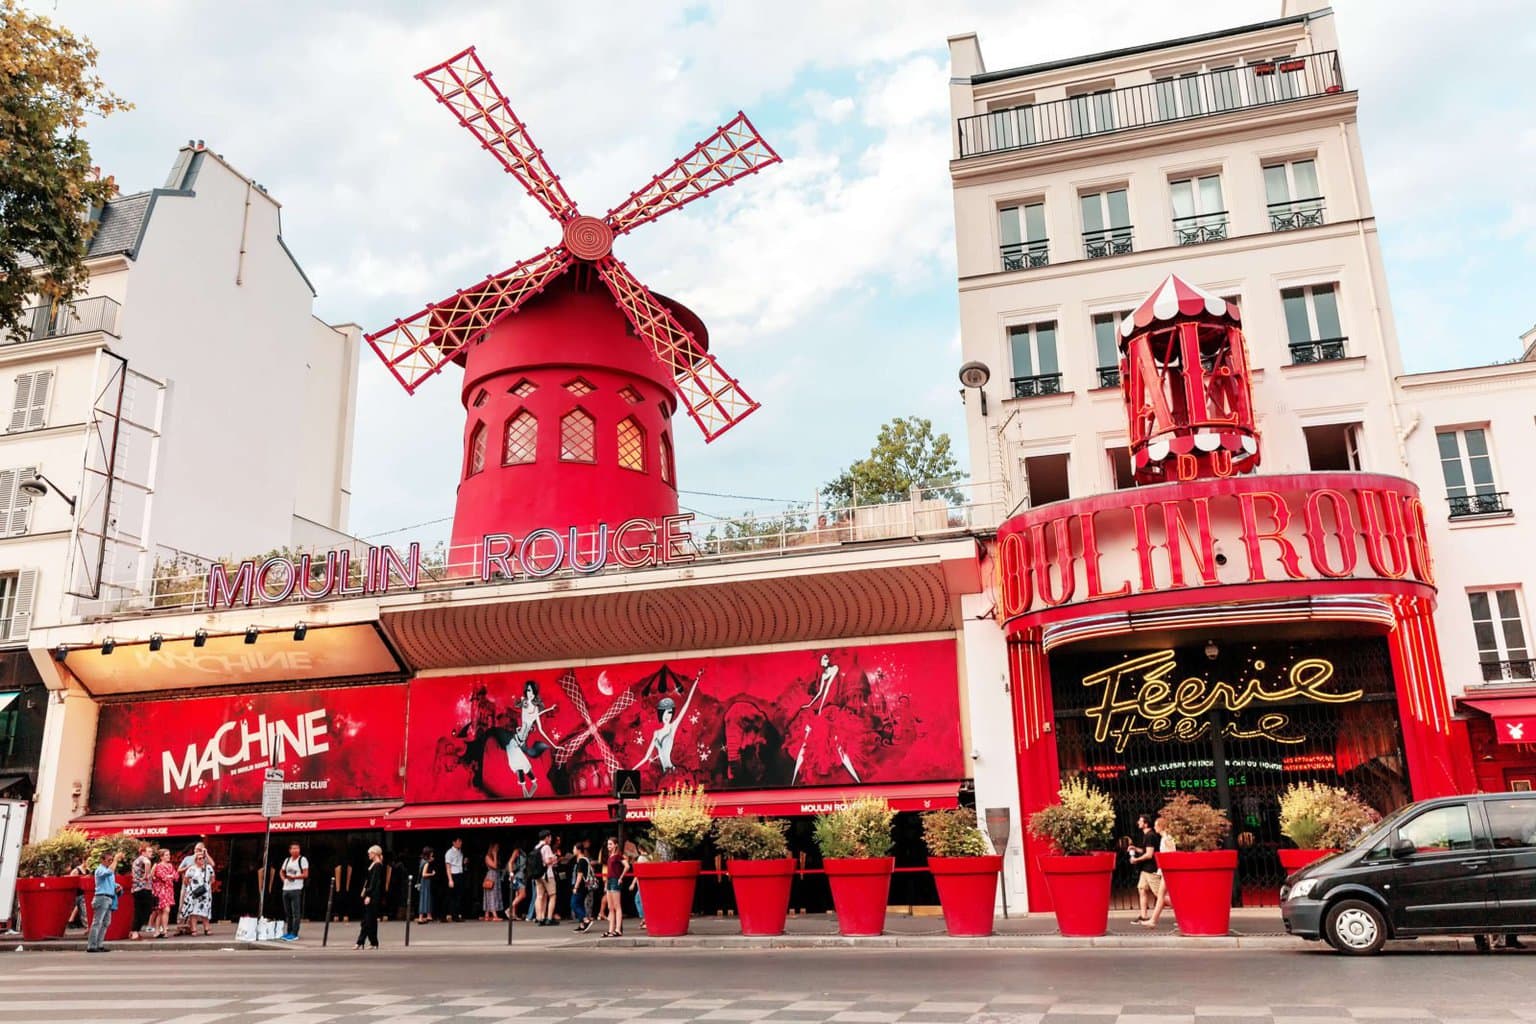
<point x="856" y="853"/>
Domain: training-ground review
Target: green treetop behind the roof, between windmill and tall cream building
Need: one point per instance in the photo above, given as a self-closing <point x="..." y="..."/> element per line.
<point x="907" y="455"/>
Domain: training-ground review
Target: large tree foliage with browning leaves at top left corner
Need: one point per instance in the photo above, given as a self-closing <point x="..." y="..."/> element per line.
<point x="48" y="88"/>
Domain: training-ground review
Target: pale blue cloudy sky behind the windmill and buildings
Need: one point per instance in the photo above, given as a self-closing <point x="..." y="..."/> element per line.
<point x="829" y="280"/>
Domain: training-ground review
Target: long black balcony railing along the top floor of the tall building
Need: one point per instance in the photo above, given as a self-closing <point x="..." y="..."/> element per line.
<point x="1179" y="99"/>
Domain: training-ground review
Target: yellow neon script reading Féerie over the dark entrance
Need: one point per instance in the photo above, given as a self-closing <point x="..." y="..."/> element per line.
<point x="1140" y="701"/>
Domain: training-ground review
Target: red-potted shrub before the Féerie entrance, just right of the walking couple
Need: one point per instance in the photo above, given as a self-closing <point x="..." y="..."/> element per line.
<point x="1199" y="873"/>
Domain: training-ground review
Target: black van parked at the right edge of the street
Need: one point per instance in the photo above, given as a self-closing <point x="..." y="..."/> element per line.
<point x="1446" y="867"/>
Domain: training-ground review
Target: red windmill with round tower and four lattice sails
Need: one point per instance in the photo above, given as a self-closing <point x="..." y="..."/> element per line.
<point x="572" y="368"/>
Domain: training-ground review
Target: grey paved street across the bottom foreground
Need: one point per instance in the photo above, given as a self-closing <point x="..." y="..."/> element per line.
<point x="549" y="986"/>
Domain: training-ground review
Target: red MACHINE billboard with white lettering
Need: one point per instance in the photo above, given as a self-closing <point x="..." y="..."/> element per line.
<point x="193" y="753"/>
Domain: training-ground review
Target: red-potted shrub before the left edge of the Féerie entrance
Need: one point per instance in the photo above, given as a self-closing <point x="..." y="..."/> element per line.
<point x="1081" y="830"/>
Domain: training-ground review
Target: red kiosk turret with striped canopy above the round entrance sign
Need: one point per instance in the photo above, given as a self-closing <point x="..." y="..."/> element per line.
<point x="1190" y="398"/>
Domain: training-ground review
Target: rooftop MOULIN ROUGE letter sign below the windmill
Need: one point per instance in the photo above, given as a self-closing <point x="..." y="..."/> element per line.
<point x="634" y="546"/>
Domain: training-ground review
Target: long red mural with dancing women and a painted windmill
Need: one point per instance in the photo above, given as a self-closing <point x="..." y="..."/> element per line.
<point x="815" y="718"/>
